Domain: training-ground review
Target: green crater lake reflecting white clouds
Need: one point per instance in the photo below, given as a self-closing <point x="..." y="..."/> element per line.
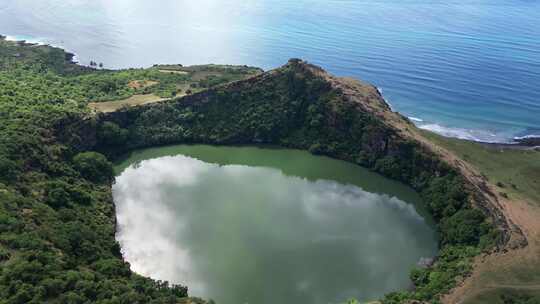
<point x="263" y="225"/>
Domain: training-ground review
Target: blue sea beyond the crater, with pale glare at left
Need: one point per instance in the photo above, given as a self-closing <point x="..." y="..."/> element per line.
<point x="468" y="69"/>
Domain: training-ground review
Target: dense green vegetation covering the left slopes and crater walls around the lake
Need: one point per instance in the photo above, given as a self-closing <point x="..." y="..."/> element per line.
<point x="57" y="216"/>
